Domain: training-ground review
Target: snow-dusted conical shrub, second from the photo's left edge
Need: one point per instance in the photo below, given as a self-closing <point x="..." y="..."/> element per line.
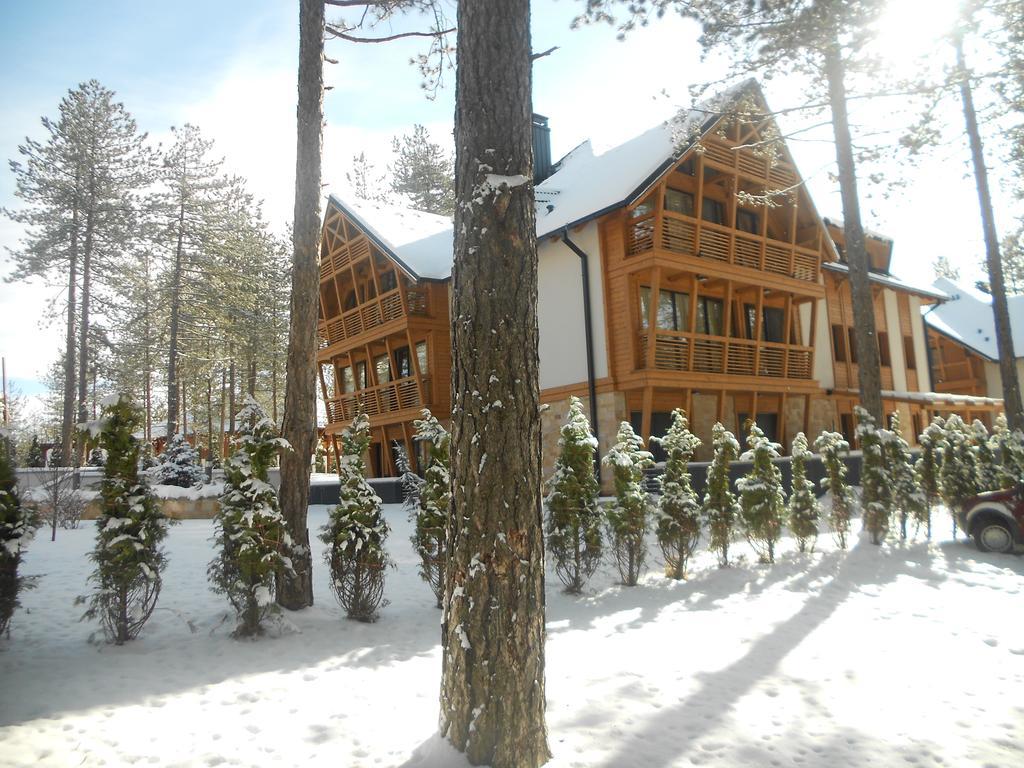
<point x="132" y="526"/>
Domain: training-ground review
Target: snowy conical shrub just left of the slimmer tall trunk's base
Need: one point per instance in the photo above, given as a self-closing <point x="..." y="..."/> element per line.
<point x="249" y="531"/>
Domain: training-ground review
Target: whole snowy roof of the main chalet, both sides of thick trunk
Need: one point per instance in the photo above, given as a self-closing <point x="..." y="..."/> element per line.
<point x="584" y="187"/>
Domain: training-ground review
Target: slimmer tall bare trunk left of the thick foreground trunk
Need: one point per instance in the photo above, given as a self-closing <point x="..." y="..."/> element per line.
<point x="301" y="386"/>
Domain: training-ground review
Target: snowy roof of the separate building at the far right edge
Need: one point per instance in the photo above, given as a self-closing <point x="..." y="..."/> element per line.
<point x="967" y="317"/>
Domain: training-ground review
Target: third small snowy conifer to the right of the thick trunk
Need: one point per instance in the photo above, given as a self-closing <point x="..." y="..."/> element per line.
<point x="678" y="511"/>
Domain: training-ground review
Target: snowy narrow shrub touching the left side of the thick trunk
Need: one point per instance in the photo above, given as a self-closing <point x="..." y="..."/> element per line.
<point x="434" y="500"/>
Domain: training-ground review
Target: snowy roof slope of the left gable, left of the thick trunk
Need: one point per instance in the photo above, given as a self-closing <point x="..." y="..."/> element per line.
<point x="421" y="243"/>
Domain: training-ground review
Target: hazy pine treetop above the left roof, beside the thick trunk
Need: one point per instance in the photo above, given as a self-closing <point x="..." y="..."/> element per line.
<point x="423" y="174"/>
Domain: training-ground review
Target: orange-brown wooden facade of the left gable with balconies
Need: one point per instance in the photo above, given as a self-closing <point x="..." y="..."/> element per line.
<point x="383" y="340"/>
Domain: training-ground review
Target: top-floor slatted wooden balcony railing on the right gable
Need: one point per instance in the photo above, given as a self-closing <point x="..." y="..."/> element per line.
<point x="689" y="236"/>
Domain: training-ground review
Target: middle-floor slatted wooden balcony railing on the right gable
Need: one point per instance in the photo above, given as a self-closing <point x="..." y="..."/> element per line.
<point x="676" y="351"/>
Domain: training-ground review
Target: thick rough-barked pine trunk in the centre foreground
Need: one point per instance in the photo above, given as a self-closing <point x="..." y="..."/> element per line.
<point x="493" y="692"/>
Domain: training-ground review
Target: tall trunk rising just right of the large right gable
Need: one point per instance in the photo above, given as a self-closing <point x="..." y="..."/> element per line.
<point x="865" y="335"/>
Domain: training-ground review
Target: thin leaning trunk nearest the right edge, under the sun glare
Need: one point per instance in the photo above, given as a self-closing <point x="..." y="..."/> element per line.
<point x="1004" y="336"/>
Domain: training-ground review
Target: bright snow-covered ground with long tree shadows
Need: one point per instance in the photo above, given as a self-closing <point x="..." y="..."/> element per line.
<point x="901" y="656"/>
